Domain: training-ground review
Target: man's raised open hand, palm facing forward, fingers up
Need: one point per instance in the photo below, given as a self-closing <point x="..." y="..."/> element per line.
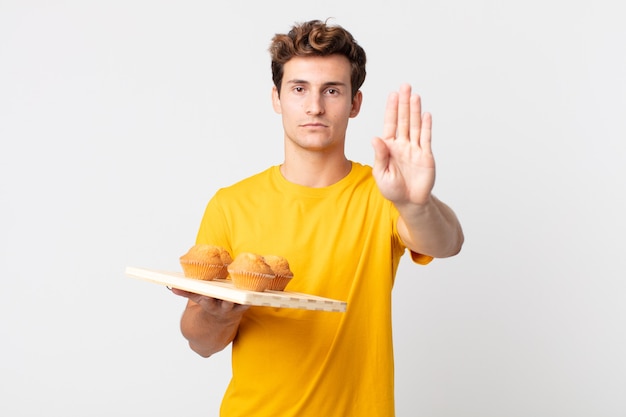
<point x="404" y="166"/>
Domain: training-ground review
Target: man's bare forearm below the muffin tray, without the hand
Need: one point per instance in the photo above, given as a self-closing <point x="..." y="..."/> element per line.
<point x="206" y="334"/>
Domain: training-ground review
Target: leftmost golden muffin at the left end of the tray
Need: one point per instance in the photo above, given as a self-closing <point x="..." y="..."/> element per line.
<point x="205" y="262"/>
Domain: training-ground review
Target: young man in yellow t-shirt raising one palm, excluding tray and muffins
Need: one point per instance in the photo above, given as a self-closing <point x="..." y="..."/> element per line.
<point x="343" y="227"/>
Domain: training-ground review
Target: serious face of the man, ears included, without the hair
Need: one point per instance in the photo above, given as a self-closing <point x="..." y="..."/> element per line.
<point x="315" y="102"/>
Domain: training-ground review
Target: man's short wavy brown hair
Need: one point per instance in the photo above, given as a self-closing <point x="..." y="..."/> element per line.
<point x="317" y="38"/>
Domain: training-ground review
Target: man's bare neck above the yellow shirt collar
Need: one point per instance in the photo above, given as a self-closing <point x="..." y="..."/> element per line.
<point x="316" y="170"/>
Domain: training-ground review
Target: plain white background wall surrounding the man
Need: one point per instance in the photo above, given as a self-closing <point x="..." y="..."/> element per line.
<point x="120" y="119"/>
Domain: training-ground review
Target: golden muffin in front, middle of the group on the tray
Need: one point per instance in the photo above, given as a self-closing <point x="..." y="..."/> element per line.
<point x="249" y="271"/>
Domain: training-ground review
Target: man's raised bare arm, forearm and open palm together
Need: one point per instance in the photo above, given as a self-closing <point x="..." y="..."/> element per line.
<point x="404" y="169"/>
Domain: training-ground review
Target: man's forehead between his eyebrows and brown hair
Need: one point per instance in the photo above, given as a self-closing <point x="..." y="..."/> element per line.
<point x="318" y="69"/>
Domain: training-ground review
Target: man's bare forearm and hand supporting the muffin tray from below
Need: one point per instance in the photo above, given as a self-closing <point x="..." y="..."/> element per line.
<point x="209" y="324"/>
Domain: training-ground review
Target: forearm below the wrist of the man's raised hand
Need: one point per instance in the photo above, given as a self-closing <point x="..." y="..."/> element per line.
<point x="430" y="229"/>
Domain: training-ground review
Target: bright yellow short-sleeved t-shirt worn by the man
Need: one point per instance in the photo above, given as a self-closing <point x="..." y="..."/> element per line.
<point x="341" y="242"/>
